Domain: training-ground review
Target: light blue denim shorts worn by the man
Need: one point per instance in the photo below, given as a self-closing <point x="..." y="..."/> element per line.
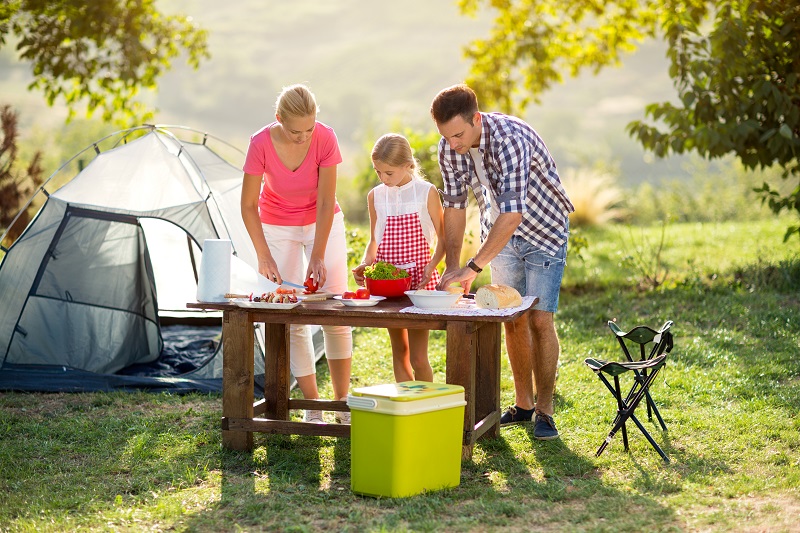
<point x="532" y="271"/>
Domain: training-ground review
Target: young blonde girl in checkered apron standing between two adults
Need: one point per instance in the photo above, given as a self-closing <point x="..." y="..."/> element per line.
<point x="406" y="217"/>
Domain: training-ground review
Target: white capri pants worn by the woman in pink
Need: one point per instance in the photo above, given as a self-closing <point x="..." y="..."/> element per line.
<point x="291" y="247"/>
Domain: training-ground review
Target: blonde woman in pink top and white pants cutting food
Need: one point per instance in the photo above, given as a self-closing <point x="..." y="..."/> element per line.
<point x="290" y="211"/>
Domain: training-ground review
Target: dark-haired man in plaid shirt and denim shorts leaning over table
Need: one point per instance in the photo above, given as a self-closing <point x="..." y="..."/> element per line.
<point x="524" y="232"/>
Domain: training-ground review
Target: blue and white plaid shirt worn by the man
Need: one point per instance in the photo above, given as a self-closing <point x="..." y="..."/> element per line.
<point x="523" y="178"/>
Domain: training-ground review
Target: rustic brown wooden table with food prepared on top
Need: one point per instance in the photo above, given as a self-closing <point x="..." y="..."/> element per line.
<point x="472" y="360"/>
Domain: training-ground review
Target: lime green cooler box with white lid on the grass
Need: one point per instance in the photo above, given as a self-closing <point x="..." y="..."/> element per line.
<point x="405" y="438"/>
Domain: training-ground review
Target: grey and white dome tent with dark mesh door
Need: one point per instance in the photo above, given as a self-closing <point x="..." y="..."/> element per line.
<point x="87" y="288"/>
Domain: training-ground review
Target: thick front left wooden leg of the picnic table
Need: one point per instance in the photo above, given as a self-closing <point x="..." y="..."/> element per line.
<point x="237" y="376"/>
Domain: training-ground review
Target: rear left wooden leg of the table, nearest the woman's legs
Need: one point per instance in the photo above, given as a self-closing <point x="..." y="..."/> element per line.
<point x="277" y="374"/>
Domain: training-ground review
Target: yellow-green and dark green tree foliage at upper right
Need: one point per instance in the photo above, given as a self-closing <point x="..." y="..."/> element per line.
<point x="735" y="65"/>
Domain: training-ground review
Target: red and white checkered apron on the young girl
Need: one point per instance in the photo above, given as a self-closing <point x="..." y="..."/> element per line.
<point x="404" y="242"/>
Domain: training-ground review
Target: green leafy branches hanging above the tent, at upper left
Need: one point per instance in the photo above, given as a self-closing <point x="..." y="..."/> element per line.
<point x="99" y="53"/>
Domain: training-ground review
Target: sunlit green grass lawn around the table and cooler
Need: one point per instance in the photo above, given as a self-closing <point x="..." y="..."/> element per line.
<point x="730" y="396"/>
